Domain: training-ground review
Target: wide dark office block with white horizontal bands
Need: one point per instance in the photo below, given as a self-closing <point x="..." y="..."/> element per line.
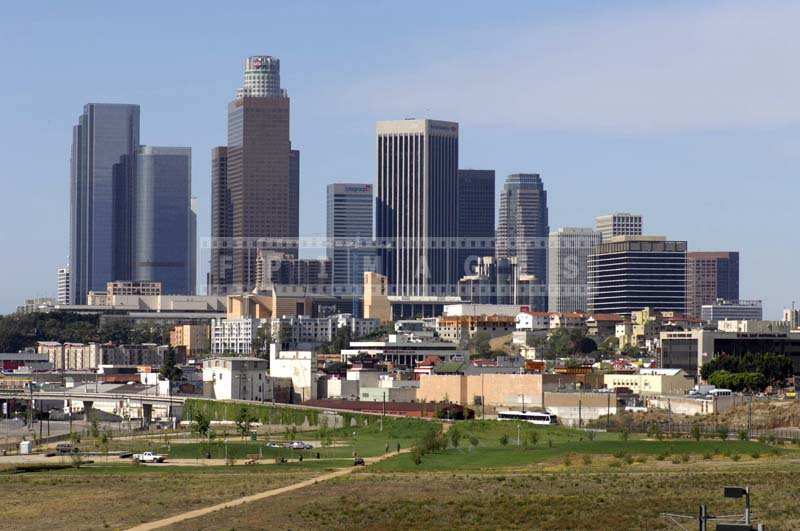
<point x="630" y="273"/>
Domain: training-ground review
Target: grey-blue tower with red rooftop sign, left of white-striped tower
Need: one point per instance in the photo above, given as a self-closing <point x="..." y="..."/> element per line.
<point x="349" y="230"/>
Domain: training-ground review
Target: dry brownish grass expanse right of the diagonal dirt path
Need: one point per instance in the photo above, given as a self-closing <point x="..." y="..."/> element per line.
<point x="625" y="498"/>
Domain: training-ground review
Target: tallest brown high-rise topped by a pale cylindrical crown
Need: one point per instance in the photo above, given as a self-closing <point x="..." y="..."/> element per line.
<point x="255" y="190"/>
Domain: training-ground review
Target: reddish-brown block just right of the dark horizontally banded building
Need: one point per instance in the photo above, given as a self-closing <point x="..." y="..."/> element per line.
<point x="710" y="276"/>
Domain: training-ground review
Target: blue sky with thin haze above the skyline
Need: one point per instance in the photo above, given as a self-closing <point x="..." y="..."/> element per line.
<point x="685" y="112"/>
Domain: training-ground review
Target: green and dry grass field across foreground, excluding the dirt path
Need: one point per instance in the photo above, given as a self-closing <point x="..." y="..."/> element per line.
<point x="556" y="478"/>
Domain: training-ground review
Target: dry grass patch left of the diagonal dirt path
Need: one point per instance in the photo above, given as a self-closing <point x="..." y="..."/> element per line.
<point x="116" y="498"/>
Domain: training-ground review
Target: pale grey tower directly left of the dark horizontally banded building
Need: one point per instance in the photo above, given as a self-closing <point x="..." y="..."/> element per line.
<point x="567" y="268"/>
